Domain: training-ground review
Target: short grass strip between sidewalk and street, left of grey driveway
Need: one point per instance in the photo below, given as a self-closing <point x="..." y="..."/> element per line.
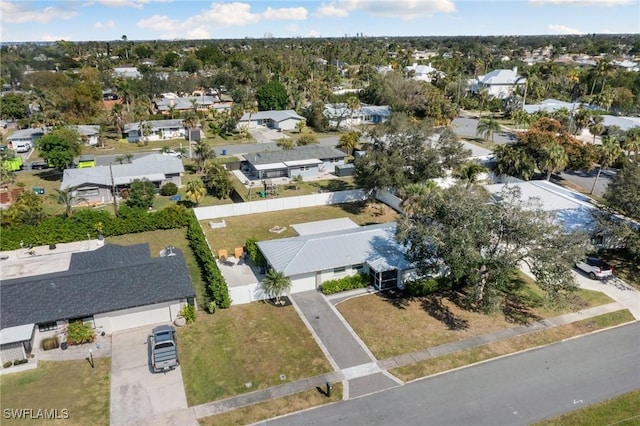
<point x="275" y="407"/>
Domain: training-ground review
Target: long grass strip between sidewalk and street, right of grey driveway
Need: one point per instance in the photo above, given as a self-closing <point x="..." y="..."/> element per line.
<point x="510" y="345"/>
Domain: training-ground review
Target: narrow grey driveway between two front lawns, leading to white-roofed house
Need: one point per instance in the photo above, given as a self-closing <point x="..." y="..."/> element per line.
<point x="330" y="328"/>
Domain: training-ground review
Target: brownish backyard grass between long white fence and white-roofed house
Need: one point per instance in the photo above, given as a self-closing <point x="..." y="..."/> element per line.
<point x="239" y="228"/>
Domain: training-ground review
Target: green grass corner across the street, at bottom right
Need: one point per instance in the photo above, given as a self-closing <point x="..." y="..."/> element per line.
<point x="623" y="410"/>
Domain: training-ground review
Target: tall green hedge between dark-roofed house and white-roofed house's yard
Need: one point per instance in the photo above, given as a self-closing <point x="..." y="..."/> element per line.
<point x="216" y="286"/>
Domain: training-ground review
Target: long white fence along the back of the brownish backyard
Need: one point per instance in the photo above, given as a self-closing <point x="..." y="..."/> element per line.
<point x="277" y="204"/>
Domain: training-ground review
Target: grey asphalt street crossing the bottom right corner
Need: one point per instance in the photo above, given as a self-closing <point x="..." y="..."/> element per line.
<point x="519" y="389"/>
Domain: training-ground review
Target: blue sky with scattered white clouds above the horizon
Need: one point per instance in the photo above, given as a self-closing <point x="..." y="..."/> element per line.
<point x="24" y="20"/>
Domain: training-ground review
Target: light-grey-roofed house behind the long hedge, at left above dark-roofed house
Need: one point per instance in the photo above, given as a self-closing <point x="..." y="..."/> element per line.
<point x="96" y="184"/>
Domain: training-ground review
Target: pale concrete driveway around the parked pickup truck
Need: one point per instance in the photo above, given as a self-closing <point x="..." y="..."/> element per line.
<point x="139" y="396"/>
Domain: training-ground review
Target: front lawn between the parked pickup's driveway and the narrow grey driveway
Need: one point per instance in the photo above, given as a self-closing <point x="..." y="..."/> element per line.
<point x="245" y="348"/>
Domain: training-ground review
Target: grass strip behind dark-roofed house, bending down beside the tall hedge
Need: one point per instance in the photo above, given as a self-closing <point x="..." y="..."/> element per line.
<point x="160" y="239"/>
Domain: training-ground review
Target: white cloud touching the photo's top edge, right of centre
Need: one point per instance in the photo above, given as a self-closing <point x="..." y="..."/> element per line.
<point x="403" y="9"/>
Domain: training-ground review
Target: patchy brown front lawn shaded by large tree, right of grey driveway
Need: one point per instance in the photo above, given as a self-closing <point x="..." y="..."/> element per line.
<point x="392" y="326"/>
